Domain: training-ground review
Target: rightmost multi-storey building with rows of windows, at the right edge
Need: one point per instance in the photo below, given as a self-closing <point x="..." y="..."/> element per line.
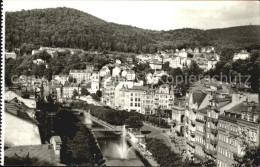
<point x="238" y="127"/>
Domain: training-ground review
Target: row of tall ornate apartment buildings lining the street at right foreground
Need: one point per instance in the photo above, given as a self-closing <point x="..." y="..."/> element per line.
<point x="215" y="122"/>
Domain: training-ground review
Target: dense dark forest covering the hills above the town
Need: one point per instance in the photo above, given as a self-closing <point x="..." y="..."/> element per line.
<point x="65" y="27"/>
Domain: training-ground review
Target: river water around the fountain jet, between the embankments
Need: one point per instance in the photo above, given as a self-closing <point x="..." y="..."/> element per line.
<point x="108" y="142"/>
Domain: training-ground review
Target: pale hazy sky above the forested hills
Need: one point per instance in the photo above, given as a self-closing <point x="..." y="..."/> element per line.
<point x="158" y="15"/>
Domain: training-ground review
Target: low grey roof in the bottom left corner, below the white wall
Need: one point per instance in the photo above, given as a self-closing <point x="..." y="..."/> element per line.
<point x="43" y="154"/>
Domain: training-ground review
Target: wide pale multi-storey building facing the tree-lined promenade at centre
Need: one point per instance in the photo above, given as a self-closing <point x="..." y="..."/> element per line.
<point x="143" y="99"/>
